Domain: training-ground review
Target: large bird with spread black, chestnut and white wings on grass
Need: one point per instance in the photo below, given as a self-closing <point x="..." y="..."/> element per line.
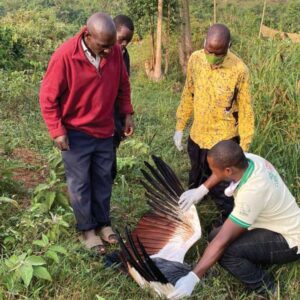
<point x="154" y="251"/>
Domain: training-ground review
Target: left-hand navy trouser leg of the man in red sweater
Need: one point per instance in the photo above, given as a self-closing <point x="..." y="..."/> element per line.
<point x="77" y="162"/>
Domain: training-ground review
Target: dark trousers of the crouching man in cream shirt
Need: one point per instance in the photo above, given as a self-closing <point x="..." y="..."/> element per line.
<point x="246" y="255"/>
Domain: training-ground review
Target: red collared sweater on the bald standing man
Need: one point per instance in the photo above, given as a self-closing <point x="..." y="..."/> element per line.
<point x="75" y="95"/>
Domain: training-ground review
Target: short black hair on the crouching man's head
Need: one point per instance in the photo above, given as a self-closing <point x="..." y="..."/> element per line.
<point x="228" y="154"/>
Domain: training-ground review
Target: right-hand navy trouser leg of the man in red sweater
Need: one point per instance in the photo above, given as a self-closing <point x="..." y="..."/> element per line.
<point x="102" y="160"/>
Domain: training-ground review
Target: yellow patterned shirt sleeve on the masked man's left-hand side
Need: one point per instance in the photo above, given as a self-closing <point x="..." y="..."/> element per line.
<point x="185" y="108"/>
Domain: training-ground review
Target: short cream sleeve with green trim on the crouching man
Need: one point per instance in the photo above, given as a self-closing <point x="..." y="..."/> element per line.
<point x="248" y="205"/>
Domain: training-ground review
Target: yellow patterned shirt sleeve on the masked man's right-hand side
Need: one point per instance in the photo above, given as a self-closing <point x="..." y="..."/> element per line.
<point x="246" y="115"/>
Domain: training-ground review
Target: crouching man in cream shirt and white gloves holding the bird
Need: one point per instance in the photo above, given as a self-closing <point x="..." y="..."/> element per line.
<point x="263" y="228"/>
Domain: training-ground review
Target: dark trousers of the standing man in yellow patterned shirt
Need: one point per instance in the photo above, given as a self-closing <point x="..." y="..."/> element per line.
<point x="200" y="171"/>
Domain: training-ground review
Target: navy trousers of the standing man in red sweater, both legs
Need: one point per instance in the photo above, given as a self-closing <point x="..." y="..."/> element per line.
<point x="88" y="171"/>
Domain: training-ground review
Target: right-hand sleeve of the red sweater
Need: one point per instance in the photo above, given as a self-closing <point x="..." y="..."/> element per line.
<point x="124" y="93"/>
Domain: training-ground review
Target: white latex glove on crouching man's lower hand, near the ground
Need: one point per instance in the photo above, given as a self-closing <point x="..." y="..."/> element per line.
<point x="184" y="286"/>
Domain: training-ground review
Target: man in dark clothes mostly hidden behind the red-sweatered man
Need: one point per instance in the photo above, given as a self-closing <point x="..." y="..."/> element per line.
<point x="125" y="30"/>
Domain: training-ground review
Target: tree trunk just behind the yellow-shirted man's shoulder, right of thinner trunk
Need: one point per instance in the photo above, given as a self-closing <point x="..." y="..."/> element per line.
<point x="185" y="47"/>
